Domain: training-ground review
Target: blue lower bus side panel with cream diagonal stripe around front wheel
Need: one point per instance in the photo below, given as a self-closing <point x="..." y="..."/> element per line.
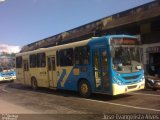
<point x="70" y="76"/>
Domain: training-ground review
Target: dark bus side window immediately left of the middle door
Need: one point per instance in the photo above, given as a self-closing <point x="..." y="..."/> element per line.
<point x="41" y="60"/>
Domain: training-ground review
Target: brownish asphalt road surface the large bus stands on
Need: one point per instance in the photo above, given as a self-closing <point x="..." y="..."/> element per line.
<point x="48" y="104"/>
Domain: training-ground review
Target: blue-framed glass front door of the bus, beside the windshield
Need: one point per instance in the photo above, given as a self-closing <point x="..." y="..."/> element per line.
<point x="100" y="69"/>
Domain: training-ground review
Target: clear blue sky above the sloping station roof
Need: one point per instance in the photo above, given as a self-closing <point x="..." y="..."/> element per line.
<point x="25" y="21"/>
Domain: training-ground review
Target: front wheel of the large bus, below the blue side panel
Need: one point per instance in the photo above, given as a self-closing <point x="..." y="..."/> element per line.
<point x="84" y="89"/>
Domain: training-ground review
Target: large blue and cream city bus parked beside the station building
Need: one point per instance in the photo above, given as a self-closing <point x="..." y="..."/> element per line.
<point x="109" y="64"/>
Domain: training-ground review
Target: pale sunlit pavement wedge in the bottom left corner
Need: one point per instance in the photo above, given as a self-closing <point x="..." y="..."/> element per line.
<point x="9" y="108"/>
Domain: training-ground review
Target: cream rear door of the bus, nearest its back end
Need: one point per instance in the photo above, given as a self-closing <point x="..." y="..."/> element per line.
<point x="26" y="72"/>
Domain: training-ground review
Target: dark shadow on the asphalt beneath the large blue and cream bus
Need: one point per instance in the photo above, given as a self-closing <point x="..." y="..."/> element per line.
<point x="65" y="93"/>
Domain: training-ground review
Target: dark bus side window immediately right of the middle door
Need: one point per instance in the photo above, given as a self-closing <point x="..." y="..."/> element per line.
<point x="66" y="57"/>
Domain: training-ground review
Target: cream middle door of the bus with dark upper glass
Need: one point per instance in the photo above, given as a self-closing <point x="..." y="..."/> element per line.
<point x="52" y="71"/>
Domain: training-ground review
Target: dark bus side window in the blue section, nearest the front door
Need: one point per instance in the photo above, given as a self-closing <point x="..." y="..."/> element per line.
<point x="82" y="55"/>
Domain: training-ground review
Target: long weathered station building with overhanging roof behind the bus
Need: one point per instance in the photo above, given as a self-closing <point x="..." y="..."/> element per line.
<point x="143" y="21"/>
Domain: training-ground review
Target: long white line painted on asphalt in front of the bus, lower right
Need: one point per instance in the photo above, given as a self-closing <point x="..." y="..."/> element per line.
<point x="129" y="106"/>
